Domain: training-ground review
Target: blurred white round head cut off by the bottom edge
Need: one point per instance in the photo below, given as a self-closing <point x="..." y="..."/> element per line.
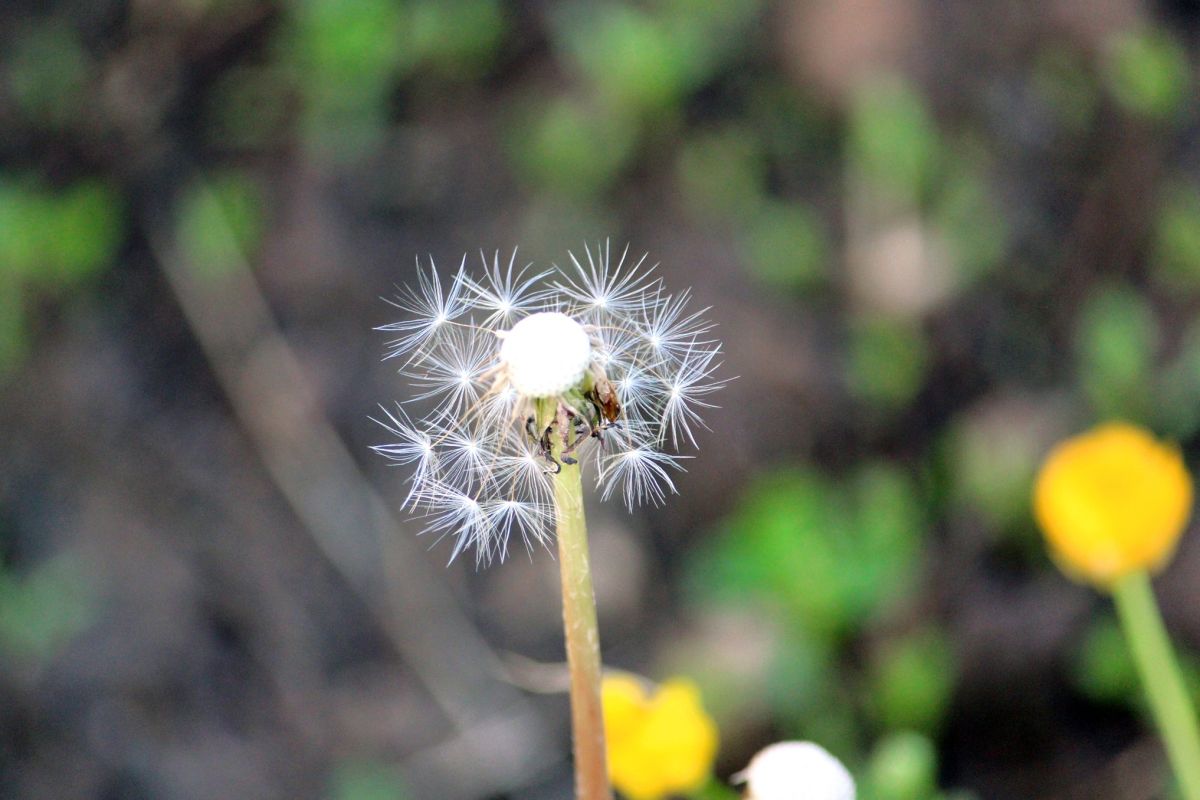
<point x="796" y="771"/>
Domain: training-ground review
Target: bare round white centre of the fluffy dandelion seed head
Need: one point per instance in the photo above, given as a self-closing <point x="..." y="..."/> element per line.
<point x="547" y="354"/>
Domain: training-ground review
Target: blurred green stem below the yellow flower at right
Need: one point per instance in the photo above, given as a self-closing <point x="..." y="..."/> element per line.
<point x="1161" y="677"/>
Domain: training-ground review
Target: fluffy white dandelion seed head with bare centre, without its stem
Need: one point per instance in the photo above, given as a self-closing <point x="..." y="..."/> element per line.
<point x="598" y="347"/>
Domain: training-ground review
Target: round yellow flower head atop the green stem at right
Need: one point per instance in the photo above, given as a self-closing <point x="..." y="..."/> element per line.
<point x="1113" y="502"/>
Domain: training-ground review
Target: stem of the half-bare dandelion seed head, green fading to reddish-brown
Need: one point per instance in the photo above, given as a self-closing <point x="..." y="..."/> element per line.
<point x="583" y="636"/>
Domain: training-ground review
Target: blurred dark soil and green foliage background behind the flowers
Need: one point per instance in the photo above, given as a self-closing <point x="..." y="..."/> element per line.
<point x="938" y="237"/>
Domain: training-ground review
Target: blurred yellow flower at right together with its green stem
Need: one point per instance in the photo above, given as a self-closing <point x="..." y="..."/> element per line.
<point x="1113" y="504"/>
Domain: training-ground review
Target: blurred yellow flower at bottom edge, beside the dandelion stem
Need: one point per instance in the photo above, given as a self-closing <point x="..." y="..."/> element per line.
<point x="659" y="744"/>
